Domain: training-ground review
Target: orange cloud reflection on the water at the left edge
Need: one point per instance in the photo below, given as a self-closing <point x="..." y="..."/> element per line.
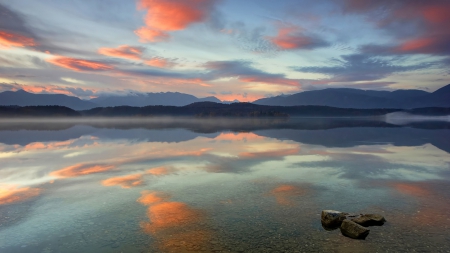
<point x="11" y="194"/>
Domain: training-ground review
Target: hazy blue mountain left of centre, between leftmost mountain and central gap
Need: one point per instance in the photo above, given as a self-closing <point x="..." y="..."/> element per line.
<point x="146" y="99"/>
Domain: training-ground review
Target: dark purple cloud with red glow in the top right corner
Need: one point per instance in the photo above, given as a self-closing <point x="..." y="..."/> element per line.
<point x="420" y="27"/>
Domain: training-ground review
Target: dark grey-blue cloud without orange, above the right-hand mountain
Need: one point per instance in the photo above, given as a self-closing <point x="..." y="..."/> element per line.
<point x="360" y="67"/>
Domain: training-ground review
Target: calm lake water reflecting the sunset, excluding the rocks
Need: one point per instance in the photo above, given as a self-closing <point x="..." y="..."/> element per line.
<point x="183" y="185"/>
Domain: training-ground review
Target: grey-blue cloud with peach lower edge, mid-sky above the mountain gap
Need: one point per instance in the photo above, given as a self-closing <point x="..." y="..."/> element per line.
<point x="246" y="73"/>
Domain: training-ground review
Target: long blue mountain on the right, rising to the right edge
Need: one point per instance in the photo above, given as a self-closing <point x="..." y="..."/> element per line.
<point x="363" y="99"/>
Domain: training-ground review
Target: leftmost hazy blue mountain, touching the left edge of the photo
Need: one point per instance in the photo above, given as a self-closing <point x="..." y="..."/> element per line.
<point x="23" y="98"/>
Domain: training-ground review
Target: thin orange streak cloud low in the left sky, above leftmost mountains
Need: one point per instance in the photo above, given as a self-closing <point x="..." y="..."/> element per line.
<point x="79" y="64"/>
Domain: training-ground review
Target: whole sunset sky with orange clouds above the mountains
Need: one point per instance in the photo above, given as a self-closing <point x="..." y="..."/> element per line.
<point x="230" y="49"/>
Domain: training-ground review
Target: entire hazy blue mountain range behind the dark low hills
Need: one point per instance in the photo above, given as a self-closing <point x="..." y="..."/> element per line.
<point x="333" y="97"/>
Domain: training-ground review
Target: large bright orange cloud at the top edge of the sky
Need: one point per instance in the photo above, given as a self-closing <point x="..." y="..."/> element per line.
<point x="164" y="16"/>
